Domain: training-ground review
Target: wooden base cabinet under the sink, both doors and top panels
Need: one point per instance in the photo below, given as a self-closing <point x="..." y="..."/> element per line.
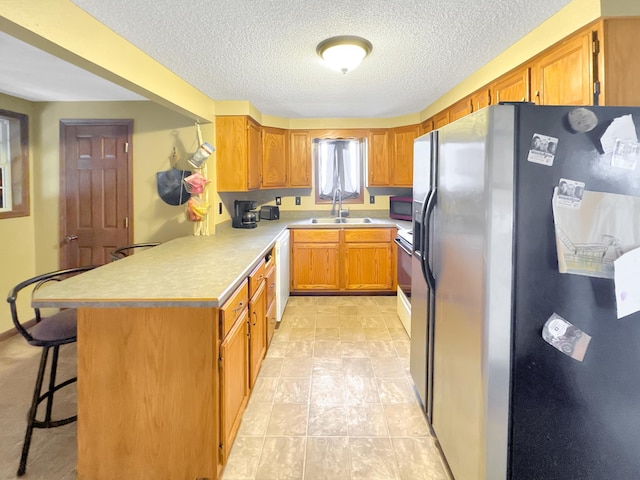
<point x="338" y="260"/>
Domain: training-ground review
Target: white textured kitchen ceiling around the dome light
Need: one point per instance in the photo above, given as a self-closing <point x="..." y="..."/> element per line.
<point x="264" y="51"/>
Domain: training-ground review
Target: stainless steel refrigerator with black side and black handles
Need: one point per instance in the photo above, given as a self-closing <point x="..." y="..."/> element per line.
<point x="501" y="400"/>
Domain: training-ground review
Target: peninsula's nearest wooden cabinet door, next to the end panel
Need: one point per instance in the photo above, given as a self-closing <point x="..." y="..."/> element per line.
<point x="234" y="382"/>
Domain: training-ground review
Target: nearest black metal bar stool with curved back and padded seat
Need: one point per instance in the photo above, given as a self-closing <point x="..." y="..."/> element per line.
<point x="49" y="333"/>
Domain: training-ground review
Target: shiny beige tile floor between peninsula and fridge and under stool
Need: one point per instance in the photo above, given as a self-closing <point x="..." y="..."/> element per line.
<point x="334" y="400"/>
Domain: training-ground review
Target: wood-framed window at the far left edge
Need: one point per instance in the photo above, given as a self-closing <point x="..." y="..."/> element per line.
<point x="14" y="164"/>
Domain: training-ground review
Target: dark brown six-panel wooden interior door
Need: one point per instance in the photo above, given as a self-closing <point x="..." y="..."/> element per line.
<point x="95" y="190"/>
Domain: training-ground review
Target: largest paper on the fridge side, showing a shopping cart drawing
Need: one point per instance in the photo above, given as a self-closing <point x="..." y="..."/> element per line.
<point x="591" y="237"/>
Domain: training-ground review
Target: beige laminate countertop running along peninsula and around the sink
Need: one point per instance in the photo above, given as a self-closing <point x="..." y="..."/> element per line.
<point x="187" y="271"/>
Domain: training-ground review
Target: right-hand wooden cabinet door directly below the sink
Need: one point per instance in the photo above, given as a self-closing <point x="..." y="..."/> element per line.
<point x="368" y="266"/>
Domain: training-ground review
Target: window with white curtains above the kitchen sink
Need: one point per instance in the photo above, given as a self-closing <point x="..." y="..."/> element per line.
<point x="338" y="164"/>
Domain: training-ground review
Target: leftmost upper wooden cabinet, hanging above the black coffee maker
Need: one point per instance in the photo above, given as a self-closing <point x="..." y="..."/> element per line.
<point x="238" y="153"/>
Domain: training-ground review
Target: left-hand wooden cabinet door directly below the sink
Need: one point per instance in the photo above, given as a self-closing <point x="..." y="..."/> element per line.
<point x="315" y="266"/>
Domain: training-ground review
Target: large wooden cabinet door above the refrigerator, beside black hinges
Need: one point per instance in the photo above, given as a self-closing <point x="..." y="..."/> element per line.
<point x="563" y="75"/>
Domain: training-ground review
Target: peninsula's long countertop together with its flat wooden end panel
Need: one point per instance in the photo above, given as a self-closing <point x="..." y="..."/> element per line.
<point x="148" y="353"/>
